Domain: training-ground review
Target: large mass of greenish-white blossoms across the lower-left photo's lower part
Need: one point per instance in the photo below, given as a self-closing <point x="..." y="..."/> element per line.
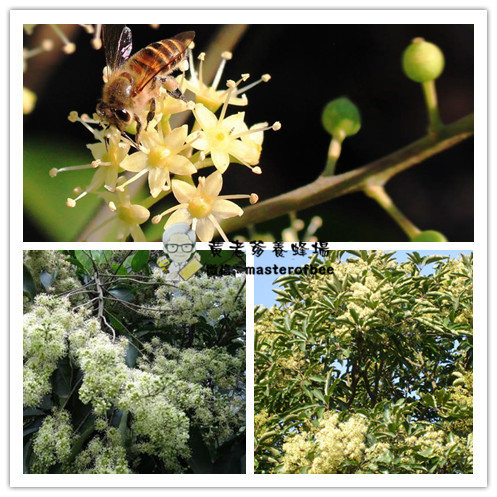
<point x="170" y="391"/>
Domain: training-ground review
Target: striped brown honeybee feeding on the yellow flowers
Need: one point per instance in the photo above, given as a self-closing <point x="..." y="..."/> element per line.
<point x="134" y="82"/>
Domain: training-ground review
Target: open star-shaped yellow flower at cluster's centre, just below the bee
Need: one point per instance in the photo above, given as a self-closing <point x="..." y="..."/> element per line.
<point x="159" y="156"/>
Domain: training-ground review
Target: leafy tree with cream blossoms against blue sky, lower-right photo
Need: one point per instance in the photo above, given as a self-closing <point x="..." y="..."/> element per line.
<point x="369" y="370"/>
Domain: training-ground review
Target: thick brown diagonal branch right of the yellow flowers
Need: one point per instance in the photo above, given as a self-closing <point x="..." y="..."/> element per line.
<point x="376" y="172"/>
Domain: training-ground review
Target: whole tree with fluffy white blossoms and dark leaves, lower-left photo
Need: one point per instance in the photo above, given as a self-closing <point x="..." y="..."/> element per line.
<point x="126" y="372"/>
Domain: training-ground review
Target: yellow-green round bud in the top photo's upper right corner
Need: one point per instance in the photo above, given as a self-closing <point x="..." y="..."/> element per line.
<point x="422" y="61"/>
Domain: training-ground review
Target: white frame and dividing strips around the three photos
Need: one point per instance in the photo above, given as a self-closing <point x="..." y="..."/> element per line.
<point x="271" y="16"/>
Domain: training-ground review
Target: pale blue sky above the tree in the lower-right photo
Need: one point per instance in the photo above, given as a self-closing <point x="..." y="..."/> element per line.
<point x="263" y="284"/>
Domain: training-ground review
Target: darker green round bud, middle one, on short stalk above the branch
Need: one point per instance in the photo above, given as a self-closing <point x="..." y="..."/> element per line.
<point x="341" y="118"/>
